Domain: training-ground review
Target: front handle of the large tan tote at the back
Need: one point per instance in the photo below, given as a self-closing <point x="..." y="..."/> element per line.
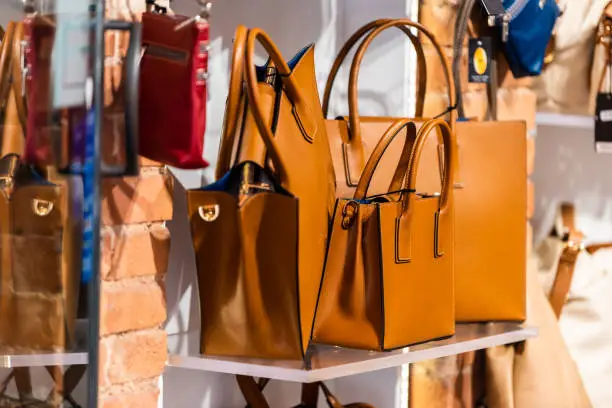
<point x="354" y="121"/>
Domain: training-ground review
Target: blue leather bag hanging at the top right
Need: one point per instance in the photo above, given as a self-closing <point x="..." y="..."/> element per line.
<point x="529" y="27"/>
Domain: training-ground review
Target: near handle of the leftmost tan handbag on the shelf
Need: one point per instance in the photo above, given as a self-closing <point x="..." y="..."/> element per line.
<point x="301" y="111"/>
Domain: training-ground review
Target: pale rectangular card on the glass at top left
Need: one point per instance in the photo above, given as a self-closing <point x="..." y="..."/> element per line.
<point x="71" y="53"/>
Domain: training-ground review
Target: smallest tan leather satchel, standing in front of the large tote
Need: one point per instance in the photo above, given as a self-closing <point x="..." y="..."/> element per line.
<point x="389" y="269"/>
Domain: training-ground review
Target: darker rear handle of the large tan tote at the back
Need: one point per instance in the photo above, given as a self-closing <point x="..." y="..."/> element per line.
<point x="350" y="43"/>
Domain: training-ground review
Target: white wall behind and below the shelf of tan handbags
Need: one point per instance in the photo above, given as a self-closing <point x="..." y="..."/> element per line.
<point x="385" y="88"/>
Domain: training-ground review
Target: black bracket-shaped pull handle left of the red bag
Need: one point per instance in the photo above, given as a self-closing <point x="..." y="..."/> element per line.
<point x="131" y="86"/>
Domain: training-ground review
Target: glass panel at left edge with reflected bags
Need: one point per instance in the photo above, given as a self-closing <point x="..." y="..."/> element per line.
<point x="45" y="64"/>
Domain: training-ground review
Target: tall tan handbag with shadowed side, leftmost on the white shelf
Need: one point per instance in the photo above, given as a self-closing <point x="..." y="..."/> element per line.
<point x="259" y="284"/>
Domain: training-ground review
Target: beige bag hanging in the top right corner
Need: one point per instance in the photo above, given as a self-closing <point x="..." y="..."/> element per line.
<point x="565" y="84"/>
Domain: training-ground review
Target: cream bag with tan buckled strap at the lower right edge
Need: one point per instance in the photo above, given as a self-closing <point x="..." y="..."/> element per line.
<point x="576" y="277"/>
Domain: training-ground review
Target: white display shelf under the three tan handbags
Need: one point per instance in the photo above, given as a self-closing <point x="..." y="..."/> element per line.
<point x="333" y="362"/>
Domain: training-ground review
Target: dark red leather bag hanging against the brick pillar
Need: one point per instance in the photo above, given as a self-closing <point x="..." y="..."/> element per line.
<point x="173" y="74"/>
